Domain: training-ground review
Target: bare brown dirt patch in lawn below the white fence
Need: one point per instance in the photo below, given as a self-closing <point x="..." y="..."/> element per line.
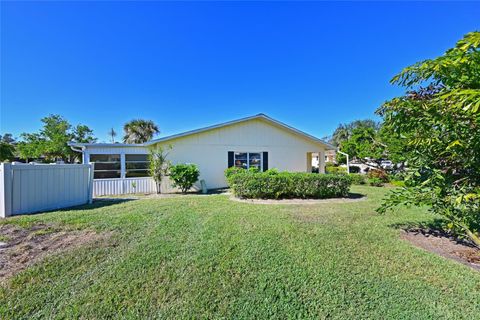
<point x="22" y="247"/>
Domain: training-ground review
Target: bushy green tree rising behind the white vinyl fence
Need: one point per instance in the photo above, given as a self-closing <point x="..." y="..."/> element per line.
<point x="51" y="142"/>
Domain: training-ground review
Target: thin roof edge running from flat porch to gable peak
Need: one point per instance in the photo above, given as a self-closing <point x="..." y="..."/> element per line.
<point x="220" y="125"/>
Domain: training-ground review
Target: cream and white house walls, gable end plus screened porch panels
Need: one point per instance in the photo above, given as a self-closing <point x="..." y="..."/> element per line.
<point x="287" y="151"/>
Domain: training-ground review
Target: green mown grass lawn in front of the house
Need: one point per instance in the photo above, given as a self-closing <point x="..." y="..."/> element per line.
<point x="210" y="257"/>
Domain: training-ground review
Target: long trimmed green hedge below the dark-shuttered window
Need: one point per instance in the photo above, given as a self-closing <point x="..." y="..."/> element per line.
<point x="287" y="185"/>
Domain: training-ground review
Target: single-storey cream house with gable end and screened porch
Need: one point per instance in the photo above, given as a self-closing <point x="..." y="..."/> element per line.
<point x="256" y="141"/>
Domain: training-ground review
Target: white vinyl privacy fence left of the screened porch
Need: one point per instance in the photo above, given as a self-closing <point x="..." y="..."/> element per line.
<point x="29" y="188"/>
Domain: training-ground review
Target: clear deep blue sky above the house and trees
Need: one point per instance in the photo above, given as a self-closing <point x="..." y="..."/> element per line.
<point x="187" y="65"/>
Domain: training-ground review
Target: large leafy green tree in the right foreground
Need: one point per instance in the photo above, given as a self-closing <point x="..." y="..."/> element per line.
<point x="439" y="118"/>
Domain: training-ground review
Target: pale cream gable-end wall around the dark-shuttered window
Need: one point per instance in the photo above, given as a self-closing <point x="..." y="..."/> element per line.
<point x="209" y="150"/>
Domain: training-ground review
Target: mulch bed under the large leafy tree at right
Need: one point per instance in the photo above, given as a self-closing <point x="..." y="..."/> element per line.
<point x="444" y="245"/>
